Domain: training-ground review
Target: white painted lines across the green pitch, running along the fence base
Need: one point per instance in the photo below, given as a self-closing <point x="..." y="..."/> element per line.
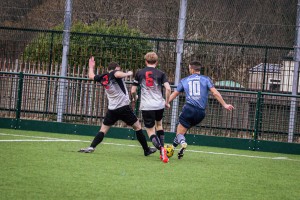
<point x="49" y="139"/>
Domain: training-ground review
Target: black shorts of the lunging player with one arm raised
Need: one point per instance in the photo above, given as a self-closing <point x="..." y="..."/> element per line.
<point x="124" y="113"/>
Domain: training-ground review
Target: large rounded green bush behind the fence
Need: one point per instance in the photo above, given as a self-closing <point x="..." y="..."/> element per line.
<point x="105" y="41"/>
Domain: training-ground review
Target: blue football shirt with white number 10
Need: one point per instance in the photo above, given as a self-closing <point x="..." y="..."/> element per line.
<point x="196" y="88"/>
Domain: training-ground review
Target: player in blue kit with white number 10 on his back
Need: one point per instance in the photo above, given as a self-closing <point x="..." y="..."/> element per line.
<point x="196" y="88"/>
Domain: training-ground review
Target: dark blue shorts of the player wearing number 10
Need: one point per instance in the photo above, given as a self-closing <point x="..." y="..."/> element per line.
<point x="191" y="116"/>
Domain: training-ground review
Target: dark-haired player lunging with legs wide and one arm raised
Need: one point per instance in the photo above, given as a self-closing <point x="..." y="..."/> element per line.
<point x="118" y="105"/>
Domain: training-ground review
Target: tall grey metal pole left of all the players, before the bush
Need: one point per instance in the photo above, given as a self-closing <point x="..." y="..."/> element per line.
<point x="64" y="63"/>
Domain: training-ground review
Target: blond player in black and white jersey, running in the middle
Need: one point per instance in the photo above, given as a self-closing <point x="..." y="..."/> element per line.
<point x="152" y="104"/>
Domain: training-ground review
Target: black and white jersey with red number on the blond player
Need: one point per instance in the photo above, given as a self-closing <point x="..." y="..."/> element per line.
<point x="151" y="81"/>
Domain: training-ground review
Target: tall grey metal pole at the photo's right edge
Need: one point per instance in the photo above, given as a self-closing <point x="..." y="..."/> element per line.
<point x="293" y="110"/>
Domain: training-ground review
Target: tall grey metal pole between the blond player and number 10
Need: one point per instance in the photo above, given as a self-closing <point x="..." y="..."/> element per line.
<point x="179" y="51"/>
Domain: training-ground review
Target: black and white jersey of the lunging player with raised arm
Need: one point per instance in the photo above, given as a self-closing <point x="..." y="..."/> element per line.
<point x="115" y="89"/>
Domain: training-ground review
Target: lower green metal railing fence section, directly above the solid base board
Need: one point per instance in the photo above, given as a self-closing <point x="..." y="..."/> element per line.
<point x="258" y="115"/>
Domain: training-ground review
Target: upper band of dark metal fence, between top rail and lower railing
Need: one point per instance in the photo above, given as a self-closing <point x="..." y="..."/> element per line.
<point x="231" y="66"/>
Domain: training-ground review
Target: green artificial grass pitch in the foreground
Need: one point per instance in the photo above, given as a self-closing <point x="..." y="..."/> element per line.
<point x="37" y="165"/>
